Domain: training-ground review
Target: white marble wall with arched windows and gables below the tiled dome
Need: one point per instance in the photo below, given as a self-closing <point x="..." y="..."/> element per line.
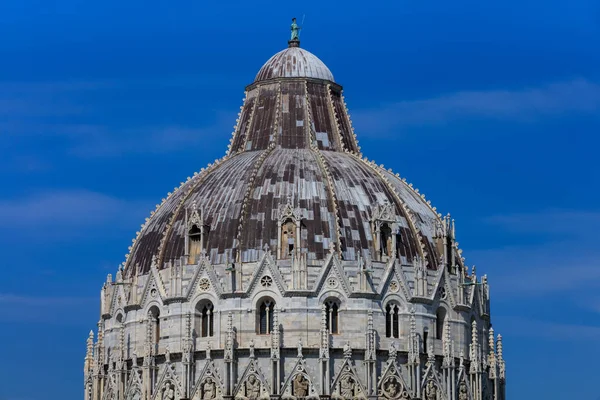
<point x="152" y="343"/>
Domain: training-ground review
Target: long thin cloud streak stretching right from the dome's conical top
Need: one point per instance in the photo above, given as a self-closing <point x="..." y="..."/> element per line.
<point x="528" y="104"/>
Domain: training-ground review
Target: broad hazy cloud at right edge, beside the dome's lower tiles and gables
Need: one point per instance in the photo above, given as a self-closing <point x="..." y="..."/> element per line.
<point x="564" y="259"/>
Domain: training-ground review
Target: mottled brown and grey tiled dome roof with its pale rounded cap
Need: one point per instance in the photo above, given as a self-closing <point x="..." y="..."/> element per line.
<point x="293" y="145"/>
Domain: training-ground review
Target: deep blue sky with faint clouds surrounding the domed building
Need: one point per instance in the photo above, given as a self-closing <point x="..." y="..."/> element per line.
<point x="490" y="108"/>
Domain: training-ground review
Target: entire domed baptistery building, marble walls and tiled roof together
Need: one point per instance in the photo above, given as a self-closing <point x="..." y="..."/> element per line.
<point x="295" y="268"/>
